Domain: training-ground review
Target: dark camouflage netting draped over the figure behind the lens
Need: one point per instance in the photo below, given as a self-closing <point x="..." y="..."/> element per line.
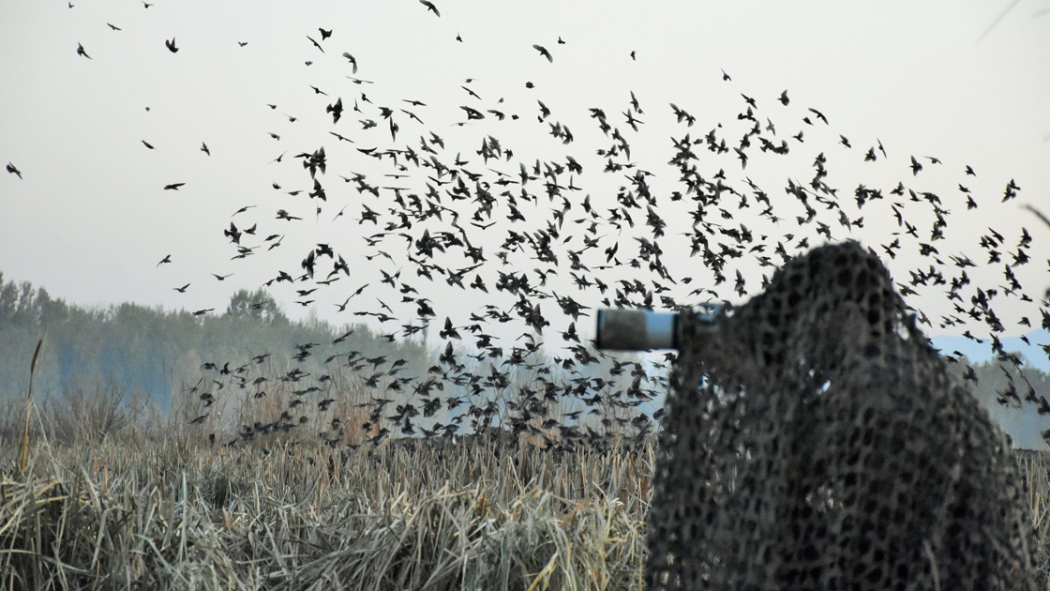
<point x="815" y="441"/>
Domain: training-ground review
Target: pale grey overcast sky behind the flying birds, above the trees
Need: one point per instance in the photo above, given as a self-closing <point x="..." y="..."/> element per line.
<point x="91" y="219"/>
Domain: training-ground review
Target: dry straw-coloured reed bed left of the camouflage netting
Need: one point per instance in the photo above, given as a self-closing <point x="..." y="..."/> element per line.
<point x="174" y="515"/>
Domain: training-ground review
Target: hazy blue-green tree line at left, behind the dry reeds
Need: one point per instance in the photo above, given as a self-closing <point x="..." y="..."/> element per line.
<point x="154" y="351"/>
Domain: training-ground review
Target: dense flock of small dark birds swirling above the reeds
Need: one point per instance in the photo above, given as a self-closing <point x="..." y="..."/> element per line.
<point x="528" y="234"/>
